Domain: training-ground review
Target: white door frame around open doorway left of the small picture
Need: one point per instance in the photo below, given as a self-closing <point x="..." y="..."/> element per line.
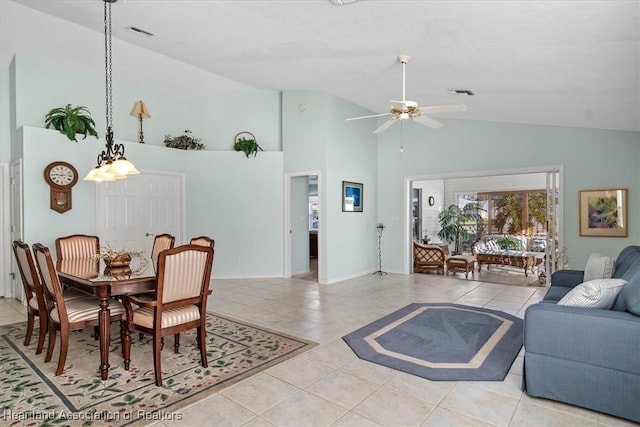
<point x="287" y="222"/>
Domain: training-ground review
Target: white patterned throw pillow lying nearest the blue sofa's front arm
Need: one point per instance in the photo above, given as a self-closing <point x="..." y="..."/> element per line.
<point x="600" y="293"/>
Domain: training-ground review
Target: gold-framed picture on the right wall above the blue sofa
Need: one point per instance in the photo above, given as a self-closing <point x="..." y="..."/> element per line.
<point x="603" y="213"/>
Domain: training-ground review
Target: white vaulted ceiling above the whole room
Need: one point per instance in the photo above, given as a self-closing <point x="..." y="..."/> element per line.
<point x="562" y="63"/>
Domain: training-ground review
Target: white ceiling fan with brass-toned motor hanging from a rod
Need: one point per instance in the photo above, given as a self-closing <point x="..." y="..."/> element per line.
<point x="409" y="110"/>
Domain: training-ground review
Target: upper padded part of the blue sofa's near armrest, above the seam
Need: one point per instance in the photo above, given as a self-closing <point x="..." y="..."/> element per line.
<point x="603" y="338"/>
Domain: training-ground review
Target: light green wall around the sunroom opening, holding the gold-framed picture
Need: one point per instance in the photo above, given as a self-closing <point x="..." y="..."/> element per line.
<point x="592" y="159"/>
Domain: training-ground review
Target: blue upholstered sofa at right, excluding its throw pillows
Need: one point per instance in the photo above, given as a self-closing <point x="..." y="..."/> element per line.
<point x="584" y="356"/>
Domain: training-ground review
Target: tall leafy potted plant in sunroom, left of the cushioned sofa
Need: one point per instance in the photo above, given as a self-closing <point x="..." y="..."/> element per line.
<point x="460" y="225"/>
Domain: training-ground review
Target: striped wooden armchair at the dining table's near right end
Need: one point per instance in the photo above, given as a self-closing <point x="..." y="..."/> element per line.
<point x="180" y="303"/>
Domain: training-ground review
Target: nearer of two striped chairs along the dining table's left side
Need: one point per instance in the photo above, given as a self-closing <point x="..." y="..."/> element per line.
<point x="67" y="315"/>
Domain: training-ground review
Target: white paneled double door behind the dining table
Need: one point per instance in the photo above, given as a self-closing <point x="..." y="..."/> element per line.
<point x="130" y="212"/>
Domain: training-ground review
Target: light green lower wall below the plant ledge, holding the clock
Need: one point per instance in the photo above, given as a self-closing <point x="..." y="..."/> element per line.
<point x="236" y="201"/>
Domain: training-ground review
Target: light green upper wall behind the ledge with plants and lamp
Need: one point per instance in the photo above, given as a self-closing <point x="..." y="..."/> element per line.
<point x="42" y="85"/>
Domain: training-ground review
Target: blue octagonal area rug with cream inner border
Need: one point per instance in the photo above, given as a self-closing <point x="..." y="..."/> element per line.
<point x="442" y="342"/>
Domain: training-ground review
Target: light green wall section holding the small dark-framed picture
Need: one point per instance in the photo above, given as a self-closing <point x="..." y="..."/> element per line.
<point x="316" y="137"/>
